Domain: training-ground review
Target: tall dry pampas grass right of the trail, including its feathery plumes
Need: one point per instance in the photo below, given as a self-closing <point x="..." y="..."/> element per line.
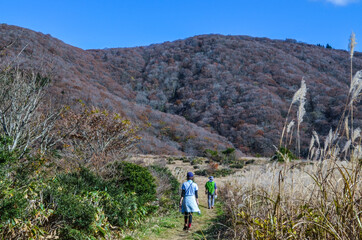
<point x="319" y="199"/>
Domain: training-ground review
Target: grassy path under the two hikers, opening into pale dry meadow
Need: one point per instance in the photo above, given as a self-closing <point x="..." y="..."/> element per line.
<point x="171" y="226"/>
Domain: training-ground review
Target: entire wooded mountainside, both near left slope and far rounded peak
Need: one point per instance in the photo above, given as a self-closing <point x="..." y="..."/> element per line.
<point x="202" y="92"/>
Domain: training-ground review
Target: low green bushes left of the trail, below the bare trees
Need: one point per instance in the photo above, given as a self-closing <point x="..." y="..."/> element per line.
<point x="83" y="202"/>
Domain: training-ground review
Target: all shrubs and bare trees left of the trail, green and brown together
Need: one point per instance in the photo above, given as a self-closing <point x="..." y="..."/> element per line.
<point x="36" y="203"/>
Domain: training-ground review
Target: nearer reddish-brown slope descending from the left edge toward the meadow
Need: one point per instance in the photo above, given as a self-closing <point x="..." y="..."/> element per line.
<point x="76" y="74"/>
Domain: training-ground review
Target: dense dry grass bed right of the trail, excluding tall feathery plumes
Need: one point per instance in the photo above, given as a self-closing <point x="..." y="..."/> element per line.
<point x="296" y="201"/>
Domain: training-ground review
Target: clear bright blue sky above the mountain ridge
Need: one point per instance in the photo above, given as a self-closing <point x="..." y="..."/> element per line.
<point x="91" y="24"/>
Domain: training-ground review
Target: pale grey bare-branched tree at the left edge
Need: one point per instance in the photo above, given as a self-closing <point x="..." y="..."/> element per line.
<point x="21" y="96"/>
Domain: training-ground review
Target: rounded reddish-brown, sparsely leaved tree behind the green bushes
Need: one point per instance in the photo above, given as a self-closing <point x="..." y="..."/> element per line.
<point x="97" y="136"/>
